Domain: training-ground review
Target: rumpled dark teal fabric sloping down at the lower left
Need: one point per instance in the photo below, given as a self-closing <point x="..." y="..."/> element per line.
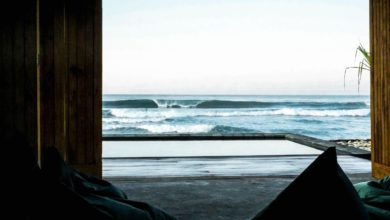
<point x="98" y="193"/>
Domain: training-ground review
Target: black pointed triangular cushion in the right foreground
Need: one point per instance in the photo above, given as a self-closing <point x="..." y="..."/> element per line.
<point x="322" y="191"/>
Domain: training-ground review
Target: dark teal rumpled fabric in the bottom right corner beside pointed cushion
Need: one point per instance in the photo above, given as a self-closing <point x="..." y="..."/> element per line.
<point x="376" y="197"/>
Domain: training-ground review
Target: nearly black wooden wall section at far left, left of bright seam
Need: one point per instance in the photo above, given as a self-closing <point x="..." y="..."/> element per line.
<point x="18" y="69"/>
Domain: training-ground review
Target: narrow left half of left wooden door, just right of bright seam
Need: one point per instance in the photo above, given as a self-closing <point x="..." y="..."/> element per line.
<point x="52" y="75"/>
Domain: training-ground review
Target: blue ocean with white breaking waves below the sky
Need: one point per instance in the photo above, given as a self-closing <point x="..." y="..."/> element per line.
<point x="326" y="117"/>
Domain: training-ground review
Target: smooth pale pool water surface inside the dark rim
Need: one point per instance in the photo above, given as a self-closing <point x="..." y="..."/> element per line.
<point x="204" y="148"/>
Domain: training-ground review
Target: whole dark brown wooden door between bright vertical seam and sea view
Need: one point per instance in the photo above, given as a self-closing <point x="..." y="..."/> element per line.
<point x="71" y="80"/>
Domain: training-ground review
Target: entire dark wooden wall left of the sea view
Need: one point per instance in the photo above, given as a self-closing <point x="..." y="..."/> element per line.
<point x="51" y="68"/>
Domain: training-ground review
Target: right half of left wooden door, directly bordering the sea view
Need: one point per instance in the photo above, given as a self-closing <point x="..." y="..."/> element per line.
<point x="84" y="95"/>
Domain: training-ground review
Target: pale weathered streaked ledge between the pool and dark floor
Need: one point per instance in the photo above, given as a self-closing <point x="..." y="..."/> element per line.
<point x="223" y="166"/>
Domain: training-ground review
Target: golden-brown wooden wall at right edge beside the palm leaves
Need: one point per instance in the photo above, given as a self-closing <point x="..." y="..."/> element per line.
<point x="380" y="86"/>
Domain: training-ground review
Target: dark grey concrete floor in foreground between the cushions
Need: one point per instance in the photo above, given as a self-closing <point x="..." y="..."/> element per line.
<point x="212" y="198"/>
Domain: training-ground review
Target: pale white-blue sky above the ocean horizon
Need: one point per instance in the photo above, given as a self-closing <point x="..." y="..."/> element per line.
<point x="233" y="47"/>
